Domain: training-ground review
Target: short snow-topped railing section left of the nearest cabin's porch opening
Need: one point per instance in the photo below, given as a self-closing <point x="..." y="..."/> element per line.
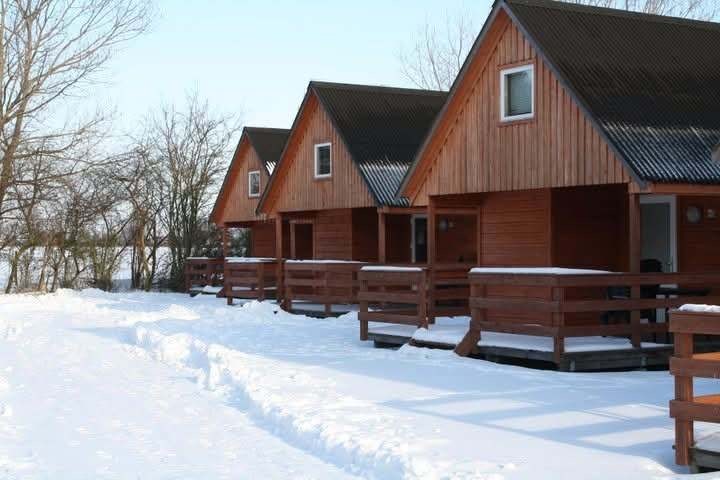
<point x="395" y="294"/>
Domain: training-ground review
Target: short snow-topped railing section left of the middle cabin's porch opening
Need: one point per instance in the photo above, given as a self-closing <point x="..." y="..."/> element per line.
<point x="250" y="278"/>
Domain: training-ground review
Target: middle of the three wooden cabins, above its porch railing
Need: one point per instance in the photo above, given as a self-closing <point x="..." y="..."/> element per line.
<point x="334" y="186"/>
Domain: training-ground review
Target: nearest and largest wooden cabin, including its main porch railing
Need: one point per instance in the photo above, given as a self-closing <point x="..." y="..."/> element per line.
<point x="577" y="138"/>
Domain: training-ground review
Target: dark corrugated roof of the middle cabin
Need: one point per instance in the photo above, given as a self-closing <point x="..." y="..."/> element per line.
<point x="382" y="128"/>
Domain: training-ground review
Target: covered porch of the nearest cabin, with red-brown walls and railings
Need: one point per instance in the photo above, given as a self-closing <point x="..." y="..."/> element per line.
<point x="602" y="262"/>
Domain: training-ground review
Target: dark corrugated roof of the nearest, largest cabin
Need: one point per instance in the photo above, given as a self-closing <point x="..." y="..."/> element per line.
<point x="650" y="83"/>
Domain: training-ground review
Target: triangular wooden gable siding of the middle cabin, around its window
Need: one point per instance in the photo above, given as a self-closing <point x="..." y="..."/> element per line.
<point x="296" y="189"/>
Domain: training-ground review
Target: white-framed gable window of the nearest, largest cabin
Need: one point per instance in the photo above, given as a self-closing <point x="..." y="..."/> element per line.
<point x="517" y="93"/>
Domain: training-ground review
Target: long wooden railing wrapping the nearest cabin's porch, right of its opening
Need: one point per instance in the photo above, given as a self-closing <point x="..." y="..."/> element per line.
<point x="571" y="305"/>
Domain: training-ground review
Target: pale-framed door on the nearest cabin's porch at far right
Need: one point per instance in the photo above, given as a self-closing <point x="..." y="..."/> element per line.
<point x="659" y="230"/>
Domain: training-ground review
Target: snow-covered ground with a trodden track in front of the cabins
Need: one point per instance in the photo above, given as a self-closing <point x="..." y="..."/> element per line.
<point x="133" y="385"/>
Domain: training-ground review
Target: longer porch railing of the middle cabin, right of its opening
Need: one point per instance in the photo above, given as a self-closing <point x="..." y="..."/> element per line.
<point x="323" y="282"/>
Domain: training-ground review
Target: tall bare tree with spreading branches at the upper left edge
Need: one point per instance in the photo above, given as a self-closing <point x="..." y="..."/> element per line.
<point x="51" y="50"/>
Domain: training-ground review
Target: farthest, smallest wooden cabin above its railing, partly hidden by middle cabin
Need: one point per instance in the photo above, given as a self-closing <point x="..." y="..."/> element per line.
<point x="248" y="174"/>
